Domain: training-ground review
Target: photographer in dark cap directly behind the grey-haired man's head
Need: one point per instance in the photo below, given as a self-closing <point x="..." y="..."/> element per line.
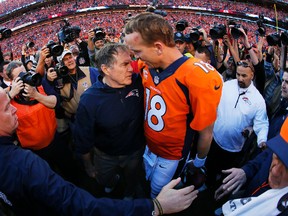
<point x="96" y="40"/>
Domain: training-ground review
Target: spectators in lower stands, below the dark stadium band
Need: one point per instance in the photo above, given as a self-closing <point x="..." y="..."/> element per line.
<point x="111" y="22"/>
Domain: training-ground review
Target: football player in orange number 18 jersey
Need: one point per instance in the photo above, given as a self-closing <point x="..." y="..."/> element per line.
<point x="181" y="96"/>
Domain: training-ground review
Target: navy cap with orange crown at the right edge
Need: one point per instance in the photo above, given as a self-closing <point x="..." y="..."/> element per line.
<point x="279" y="144"/>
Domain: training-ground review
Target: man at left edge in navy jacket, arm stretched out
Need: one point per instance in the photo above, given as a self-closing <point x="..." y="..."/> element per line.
<point x="30" y="187"/>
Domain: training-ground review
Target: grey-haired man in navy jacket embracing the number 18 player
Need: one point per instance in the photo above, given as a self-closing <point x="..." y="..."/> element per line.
<point x="109" y="120"/>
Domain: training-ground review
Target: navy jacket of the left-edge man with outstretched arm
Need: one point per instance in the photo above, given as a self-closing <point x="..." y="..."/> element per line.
<point x="34" y="189"/>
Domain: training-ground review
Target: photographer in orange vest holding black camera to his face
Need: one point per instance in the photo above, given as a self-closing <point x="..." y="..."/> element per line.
<point x="37" y="122"/>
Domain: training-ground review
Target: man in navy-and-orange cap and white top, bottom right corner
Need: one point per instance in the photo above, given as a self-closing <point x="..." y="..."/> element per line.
<point x="272" y="201"/>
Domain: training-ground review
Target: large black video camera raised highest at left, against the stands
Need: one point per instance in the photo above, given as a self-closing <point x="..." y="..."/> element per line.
<point x="68" y="33"/>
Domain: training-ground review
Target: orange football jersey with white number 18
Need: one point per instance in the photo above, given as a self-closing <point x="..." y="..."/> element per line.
<point x="182" y="98"/>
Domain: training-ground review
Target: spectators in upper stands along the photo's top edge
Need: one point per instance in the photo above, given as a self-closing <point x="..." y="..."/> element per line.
<point x="214" y="5"/>
